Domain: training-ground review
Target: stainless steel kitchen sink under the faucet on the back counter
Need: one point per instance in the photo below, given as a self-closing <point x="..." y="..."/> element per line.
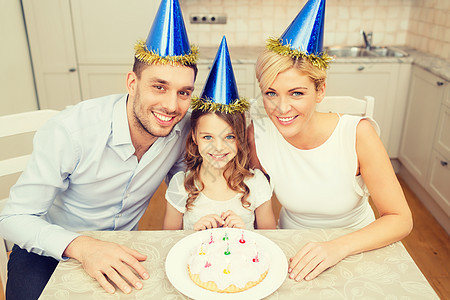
<point x="359" y="51"/>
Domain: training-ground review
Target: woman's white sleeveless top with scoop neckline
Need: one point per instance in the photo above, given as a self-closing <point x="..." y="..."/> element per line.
<point x="317" y="188"/>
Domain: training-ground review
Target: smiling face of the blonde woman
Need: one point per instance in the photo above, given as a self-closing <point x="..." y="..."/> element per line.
<point x="290" y="102"/>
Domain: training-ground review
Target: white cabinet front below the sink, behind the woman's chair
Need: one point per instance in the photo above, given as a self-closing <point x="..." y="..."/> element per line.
<point x="378" y="80"/>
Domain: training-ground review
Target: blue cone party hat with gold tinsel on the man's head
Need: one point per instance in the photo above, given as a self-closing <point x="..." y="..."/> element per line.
<point x="167" y="41"/>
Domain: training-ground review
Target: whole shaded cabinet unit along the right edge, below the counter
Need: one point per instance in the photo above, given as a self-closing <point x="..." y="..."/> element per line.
<point x="425" y="146"/>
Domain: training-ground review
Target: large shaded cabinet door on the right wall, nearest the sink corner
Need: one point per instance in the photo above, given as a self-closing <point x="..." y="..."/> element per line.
<point x="420" y="123"/>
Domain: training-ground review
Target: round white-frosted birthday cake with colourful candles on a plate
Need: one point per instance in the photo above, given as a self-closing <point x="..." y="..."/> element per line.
<point x="227" y="262"/>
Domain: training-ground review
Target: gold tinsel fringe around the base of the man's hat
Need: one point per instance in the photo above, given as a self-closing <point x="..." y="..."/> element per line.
<point x="150" y="57"/>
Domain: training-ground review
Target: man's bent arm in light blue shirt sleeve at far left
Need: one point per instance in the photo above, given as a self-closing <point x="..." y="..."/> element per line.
<point x="53" y="159"/>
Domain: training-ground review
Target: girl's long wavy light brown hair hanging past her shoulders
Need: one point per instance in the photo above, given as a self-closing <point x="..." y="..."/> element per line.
<point x="235" y="171"/>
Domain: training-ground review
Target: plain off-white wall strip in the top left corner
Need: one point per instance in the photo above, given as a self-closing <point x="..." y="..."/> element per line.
<point x="16" y="76"/>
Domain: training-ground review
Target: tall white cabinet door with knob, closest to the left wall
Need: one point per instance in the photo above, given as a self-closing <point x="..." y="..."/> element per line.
<point x="49" y="28"/>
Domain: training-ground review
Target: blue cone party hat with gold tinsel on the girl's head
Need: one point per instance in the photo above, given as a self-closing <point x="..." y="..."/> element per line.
<point x="220" y="91"/>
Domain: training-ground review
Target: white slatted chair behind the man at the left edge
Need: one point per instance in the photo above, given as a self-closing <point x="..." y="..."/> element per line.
<point x="16" y="145"/>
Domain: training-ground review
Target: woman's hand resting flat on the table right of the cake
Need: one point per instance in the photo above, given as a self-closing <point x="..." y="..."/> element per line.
<point x="313" y="259"/>
